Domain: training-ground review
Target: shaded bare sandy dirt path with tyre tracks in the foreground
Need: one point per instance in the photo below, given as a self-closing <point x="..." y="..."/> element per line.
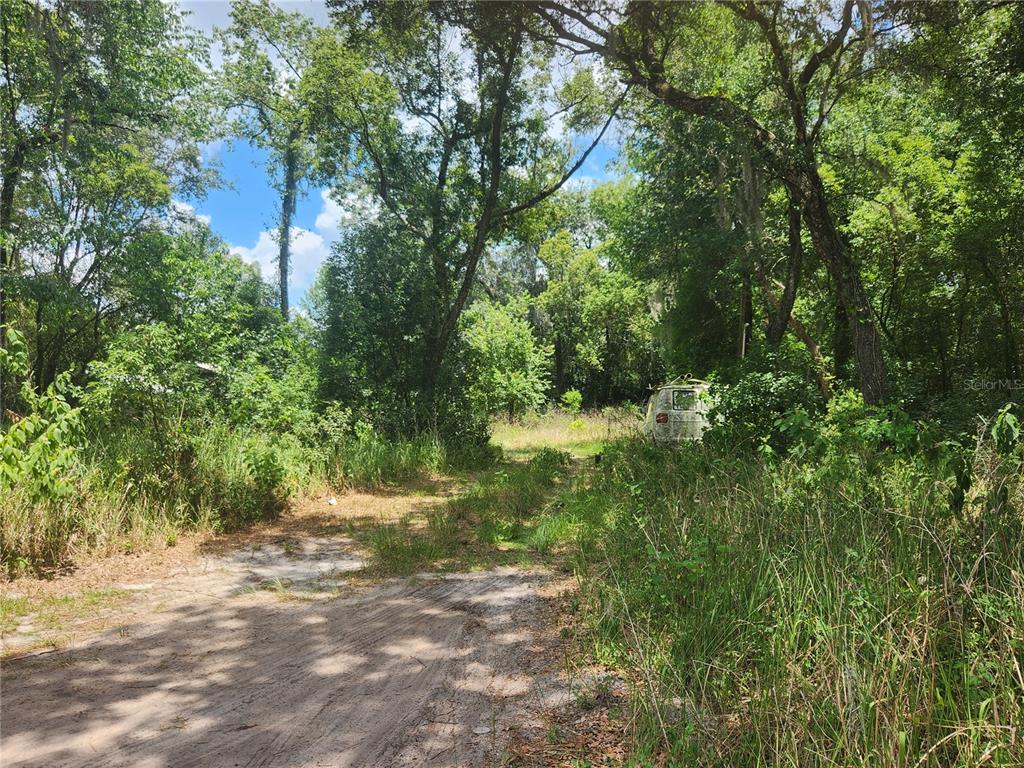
<point x="431" y="672"/>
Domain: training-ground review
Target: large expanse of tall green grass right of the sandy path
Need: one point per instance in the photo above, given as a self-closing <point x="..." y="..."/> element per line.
<point x="859" y="611"/>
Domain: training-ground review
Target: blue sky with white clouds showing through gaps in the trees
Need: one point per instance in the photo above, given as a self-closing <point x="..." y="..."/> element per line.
<point x="245" y="211"/>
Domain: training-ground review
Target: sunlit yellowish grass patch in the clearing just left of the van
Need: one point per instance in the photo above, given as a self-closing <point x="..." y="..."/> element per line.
<point x="579" y="435"/>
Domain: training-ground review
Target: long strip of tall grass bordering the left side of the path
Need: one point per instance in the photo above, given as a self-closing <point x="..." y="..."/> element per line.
<point x="133" y="491"/>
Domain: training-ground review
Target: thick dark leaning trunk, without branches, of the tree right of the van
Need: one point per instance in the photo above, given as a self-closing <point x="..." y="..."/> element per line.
<point x="849" y="287"/>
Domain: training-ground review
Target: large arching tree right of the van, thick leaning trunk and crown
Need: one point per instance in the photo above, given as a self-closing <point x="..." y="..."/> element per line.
<point x="808" y="59"/>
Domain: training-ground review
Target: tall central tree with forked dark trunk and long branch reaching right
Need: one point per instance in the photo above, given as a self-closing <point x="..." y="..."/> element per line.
<point x="466" y="149"/>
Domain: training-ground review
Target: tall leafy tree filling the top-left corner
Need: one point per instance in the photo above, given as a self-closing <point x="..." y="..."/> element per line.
<point x="76" y="73"/>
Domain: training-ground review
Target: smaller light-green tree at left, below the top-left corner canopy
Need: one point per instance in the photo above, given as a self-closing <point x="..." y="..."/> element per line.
<point x="92" y="234"/>
